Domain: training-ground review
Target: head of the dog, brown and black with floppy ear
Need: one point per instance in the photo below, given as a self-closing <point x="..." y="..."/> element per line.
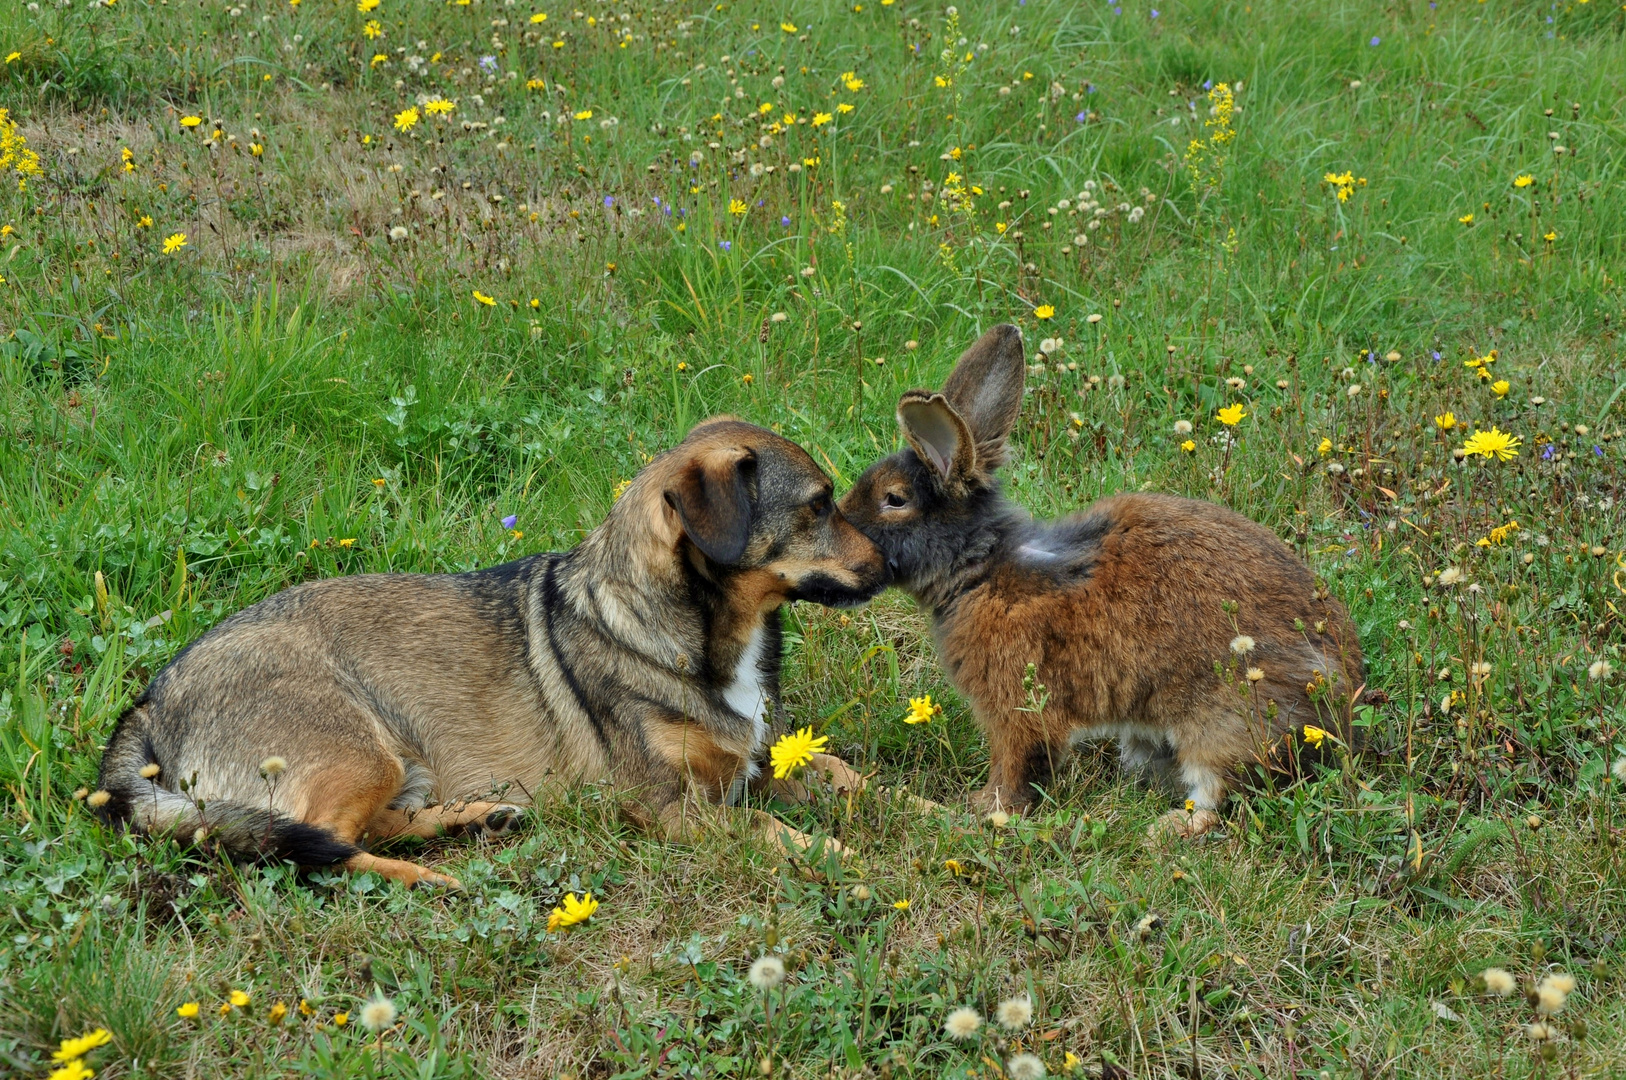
<point x="750" y="508"/>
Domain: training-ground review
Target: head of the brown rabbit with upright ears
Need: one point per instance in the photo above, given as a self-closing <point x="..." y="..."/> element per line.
<point x="933" y="503"/>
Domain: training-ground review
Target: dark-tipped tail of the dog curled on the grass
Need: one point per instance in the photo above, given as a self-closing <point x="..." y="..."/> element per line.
<point x="136" y="791"/>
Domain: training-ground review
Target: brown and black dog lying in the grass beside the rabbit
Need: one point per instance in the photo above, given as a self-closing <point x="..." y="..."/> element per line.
<point x="357" y="710"/>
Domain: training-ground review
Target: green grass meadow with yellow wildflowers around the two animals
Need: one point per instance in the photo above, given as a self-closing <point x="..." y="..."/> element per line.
<point x="393" y="324"/>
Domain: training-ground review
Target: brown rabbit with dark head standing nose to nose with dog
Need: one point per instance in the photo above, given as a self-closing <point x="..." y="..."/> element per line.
<point x="1191" y="634"/>
